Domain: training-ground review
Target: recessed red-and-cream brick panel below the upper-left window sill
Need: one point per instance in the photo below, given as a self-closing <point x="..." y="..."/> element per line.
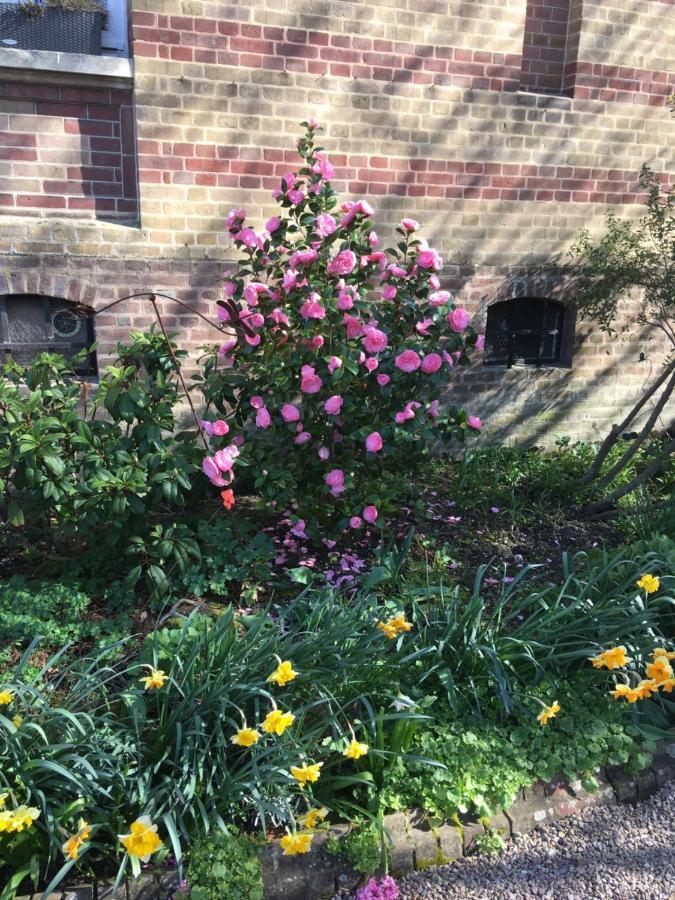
<point x="67" y="151"/>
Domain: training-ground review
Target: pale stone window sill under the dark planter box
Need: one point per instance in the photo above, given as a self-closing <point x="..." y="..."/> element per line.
<point x="39" y="65"/>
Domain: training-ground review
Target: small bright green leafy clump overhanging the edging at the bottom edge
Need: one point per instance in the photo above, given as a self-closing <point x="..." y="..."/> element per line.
<point x="224" y="865"/>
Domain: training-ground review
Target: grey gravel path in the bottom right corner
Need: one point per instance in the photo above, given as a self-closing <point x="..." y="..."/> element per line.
<point x="622" y="853"/>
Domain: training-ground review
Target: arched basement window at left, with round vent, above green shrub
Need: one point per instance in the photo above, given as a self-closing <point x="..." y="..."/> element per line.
<point x="32" y="324"/>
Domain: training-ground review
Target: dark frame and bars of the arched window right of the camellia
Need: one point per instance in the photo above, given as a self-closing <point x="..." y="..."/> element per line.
<point x="565" y="332"/>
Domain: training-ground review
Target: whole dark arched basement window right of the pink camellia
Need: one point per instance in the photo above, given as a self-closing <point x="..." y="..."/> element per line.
<point x="531" y="331"/>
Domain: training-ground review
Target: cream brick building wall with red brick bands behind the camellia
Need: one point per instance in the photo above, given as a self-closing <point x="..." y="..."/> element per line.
<point x="504" y="127"/>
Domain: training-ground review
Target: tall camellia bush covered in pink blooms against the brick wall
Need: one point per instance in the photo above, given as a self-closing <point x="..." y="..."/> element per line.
<point x="336" y="357"/>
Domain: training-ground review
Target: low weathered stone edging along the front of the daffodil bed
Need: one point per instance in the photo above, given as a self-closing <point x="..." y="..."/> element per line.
<point x="415" y="844"/>
